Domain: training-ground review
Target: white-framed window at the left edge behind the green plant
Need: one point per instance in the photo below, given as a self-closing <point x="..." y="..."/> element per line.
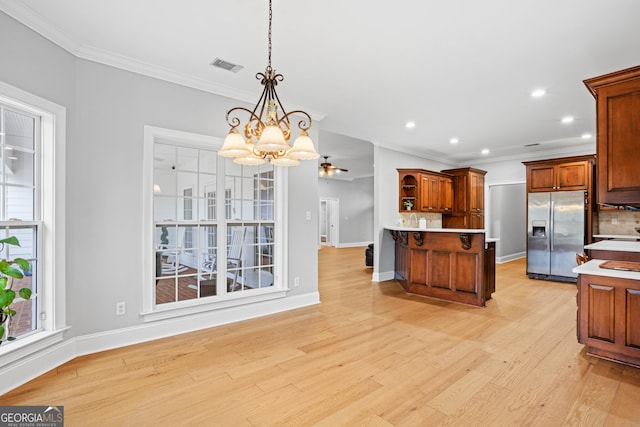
<point x="31" y="177"/>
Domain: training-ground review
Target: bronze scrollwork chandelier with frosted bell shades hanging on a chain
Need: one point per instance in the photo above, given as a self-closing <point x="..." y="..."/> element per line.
<point x="267" y="132"/>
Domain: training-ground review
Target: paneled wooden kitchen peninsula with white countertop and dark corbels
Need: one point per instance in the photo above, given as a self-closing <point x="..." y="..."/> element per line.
<point x="451" y="264"/>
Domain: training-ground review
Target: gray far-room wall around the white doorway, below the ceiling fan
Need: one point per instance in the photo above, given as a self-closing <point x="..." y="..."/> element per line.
<point x="356" y="208"/>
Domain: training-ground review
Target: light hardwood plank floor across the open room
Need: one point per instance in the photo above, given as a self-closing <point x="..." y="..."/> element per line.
<point x="368" y="355"/>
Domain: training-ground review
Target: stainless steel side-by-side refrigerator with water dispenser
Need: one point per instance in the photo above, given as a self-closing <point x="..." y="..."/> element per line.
<point x="555" y="233"/>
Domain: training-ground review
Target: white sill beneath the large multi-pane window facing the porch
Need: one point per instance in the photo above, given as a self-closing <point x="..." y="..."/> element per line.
<point x="210" y="304"/>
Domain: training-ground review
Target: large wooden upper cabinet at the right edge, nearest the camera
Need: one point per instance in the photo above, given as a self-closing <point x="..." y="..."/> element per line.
<point x="618" y="137"/>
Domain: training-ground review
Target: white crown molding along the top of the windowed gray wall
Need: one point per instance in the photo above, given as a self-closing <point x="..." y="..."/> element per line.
<point x="18" y="10"/>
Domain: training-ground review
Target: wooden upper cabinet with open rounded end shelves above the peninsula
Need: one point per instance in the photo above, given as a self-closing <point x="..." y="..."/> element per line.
<point x="425" y="191"/>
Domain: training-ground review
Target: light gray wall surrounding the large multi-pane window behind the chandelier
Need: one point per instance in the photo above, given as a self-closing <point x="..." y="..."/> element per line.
<point x="106" y="111"/>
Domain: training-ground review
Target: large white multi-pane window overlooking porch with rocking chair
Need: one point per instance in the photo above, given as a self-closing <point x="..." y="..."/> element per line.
<point x="215" y="224"/>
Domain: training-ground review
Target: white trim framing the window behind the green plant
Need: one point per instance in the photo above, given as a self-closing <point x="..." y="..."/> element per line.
<point x="52" y="220"/>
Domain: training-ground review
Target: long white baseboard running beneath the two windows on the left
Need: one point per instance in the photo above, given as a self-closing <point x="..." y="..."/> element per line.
<point x="49" y="357"/>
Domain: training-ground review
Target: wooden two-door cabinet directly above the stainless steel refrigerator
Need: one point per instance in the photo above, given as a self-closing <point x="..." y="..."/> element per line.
<point x="564" y="174"/>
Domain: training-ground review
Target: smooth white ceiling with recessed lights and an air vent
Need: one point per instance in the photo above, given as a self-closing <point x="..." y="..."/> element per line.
<point x="456" y="68"/>
